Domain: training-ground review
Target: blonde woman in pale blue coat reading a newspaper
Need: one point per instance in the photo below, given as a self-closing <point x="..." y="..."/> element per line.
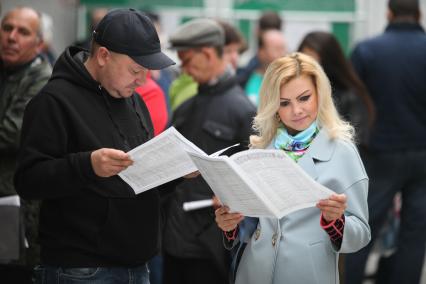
<point x="297" y="115"/>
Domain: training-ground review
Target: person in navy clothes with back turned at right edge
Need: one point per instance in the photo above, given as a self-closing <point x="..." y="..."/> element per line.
<point x="393" y="67"/>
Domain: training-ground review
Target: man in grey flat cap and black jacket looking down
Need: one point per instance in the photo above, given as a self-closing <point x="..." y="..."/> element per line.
<point x="219" y="115"/>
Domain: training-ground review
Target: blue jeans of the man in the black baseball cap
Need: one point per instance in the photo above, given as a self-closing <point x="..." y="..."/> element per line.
<point x="91" y="275"/>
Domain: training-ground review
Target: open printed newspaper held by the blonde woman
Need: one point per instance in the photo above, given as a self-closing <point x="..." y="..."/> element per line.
<point x="260" y="182"/>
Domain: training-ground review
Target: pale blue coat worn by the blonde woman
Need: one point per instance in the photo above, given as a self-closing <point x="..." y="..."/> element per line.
<point x="295" y="249"/>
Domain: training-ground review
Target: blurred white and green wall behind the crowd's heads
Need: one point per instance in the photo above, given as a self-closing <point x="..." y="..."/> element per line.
<point x="349" y="20"/>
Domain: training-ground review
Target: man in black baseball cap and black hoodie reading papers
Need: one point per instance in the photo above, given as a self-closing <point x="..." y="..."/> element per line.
<point x="75" y="135"/>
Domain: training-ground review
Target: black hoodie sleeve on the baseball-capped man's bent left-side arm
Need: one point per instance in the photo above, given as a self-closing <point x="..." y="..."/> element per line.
<point x="45" y="168"/>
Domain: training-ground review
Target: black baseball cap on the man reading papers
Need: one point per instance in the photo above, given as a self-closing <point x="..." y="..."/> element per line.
<point x="131" y="32"/>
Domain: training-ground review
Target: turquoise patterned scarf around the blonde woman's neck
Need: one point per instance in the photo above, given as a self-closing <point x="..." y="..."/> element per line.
<point x="295" y="146"/>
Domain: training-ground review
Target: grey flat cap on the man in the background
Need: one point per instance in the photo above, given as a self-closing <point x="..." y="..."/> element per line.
<point x="197" y="33"/>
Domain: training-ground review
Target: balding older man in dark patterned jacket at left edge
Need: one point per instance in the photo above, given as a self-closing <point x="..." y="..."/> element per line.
<point x="22" y="74"/>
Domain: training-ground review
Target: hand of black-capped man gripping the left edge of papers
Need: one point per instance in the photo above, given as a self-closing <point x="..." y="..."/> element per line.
<point x="109" y="162"/>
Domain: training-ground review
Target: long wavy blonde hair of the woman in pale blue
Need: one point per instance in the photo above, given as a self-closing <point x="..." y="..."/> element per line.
<point x="280" y="72"/>
